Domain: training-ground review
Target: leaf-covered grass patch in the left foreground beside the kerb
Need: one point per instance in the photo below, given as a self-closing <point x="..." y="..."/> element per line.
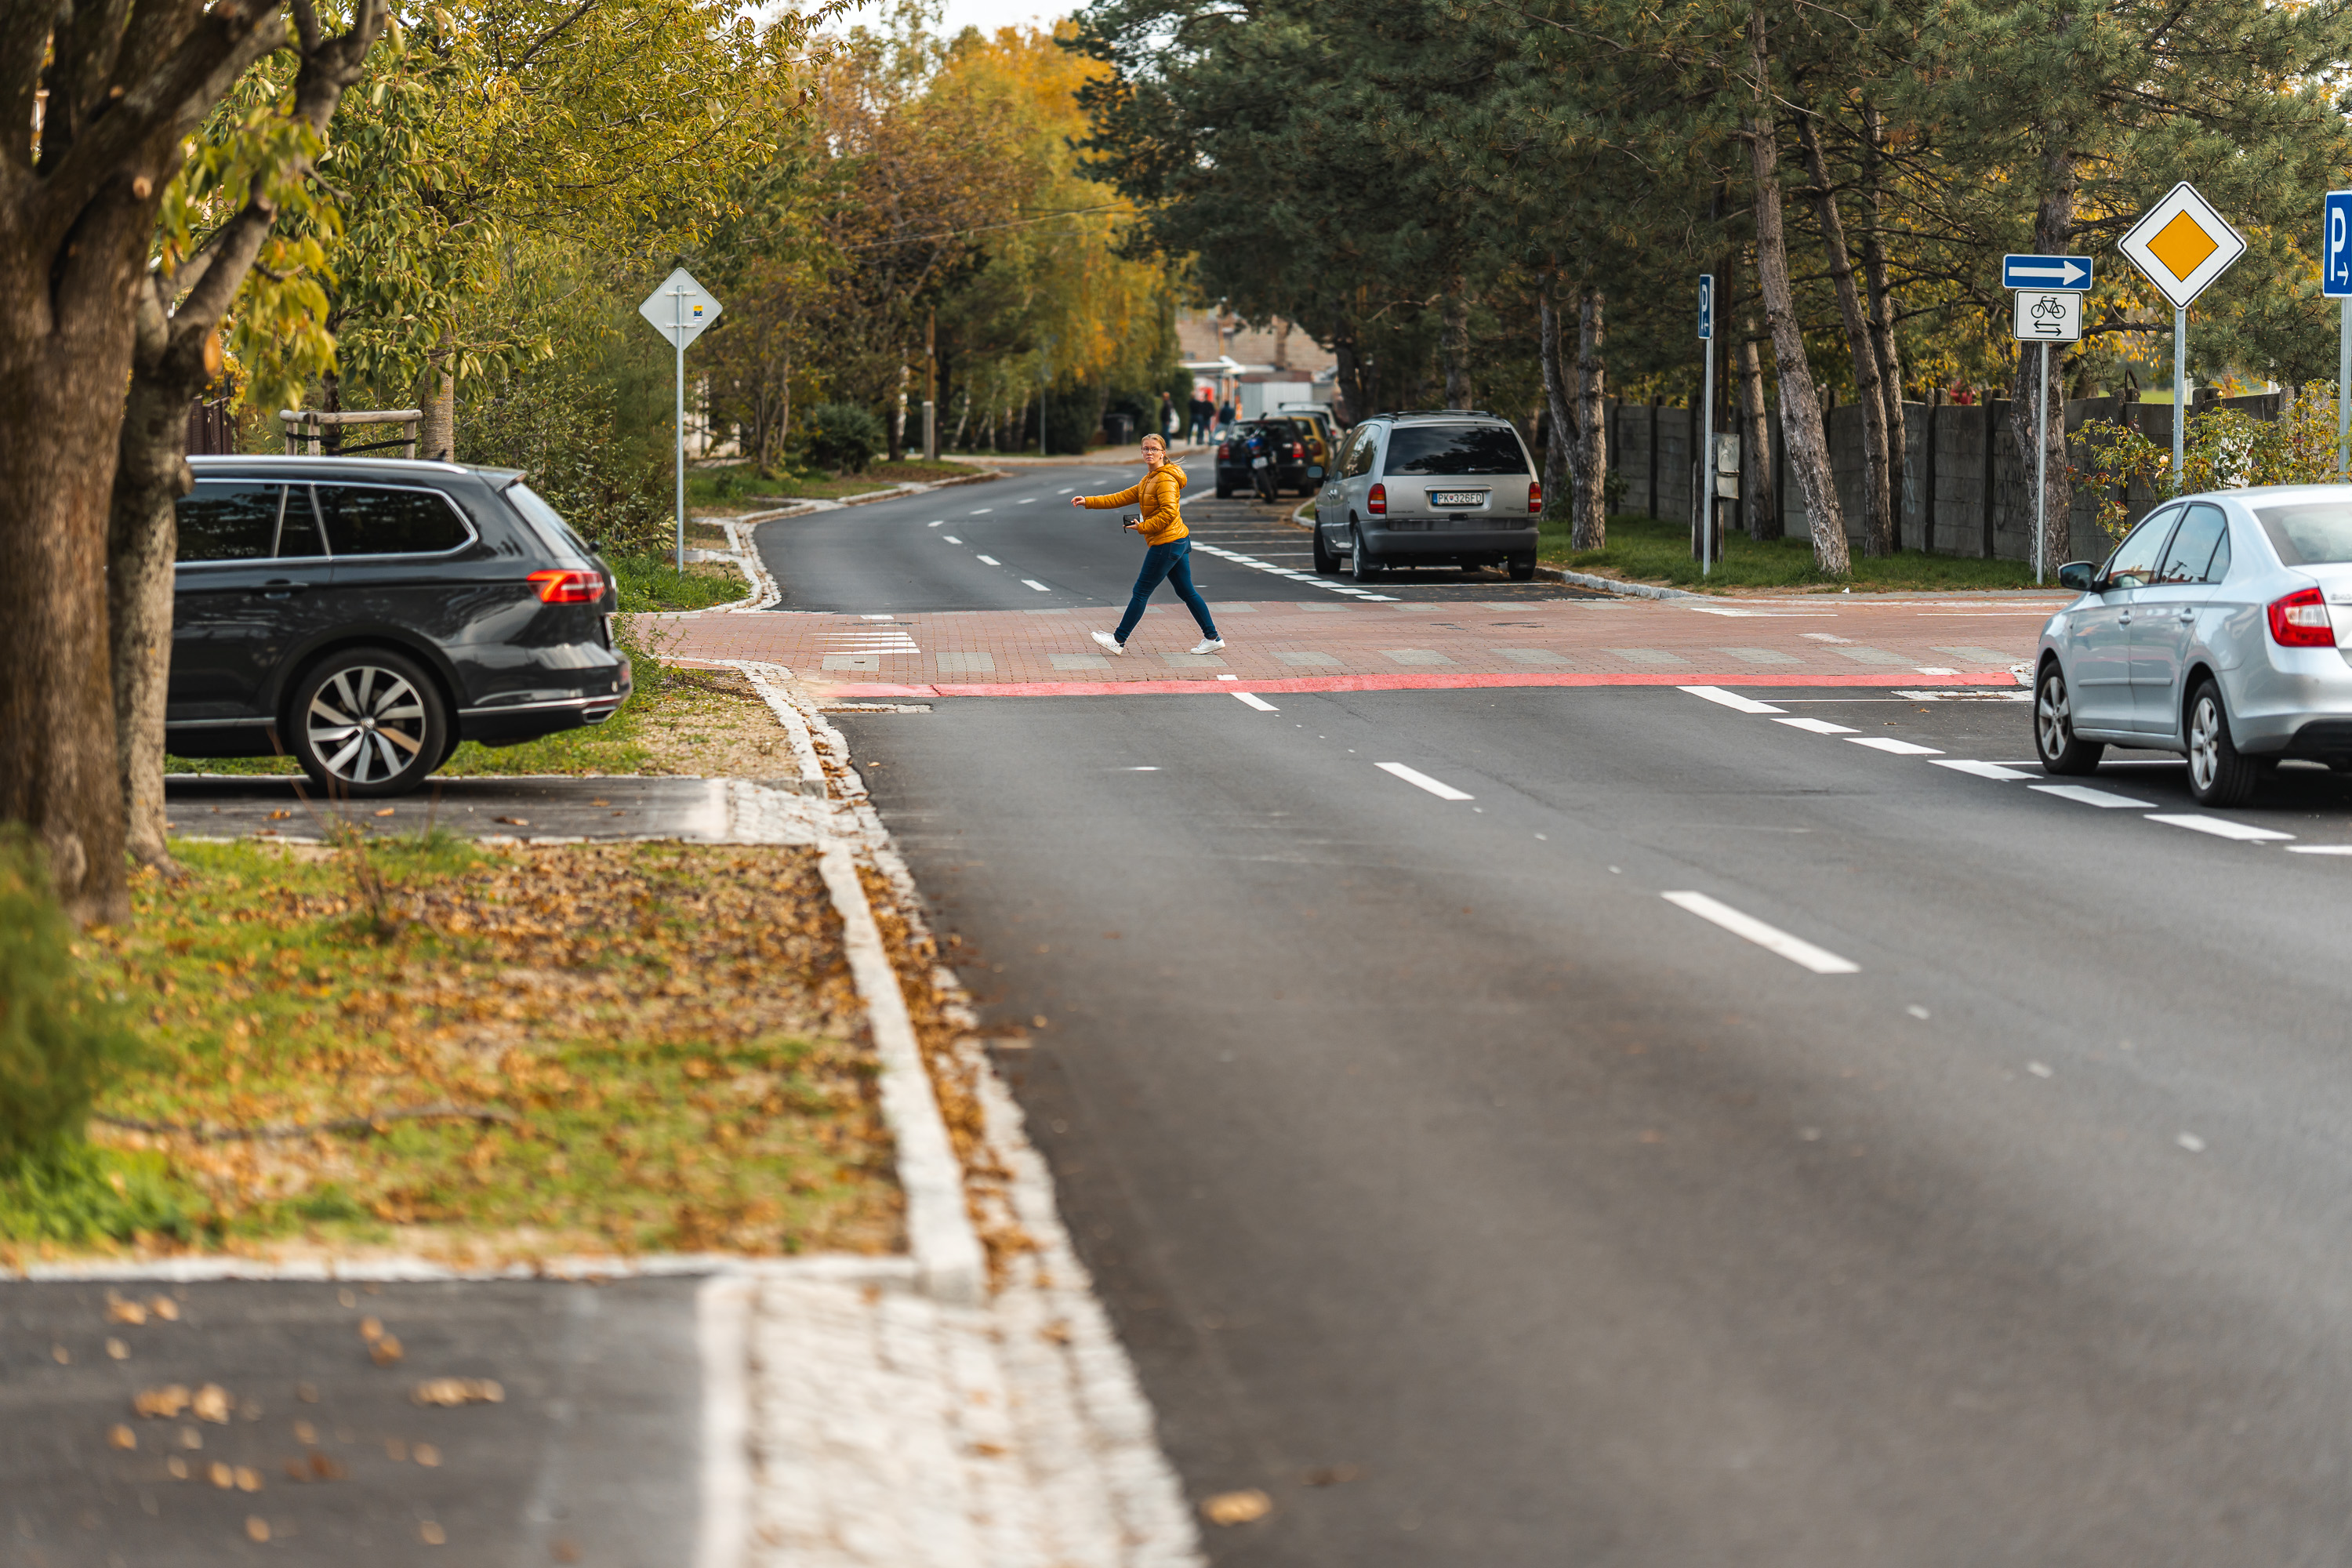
<point x="474" y="1052"/>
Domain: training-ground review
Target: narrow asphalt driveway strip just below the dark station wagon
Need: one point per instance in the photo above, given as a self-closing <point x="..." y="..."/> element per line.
<point x="540" y="808"/>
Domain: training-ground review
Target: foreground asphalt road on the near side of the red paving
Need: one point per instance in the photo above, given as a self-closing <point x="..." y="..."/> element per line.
<point x="1485" y="1205"/>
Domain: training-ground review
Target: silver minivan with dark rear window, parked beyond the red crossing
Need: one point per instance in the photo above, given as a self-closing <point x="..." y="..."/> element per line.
<point x="1443" y="488"/>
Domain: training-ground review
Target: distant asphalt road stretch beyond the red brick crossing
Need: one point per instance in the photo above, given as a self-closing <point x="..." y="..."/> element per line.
<point x="1020" y="544"/>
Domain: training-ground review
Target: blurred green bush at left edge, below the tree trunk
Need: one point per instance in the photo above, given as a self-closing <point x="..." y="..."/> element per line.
<point x="60" y="1040"/>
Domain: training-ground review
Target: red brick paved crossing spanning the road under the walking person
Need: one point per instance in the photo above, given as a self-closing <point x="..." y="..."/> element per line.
<point x="1276" y="645"/>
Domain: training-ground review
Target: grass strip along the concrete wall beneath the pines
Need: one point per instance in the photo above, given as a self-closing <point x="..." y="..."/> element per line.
<point x="1650" y="551"/>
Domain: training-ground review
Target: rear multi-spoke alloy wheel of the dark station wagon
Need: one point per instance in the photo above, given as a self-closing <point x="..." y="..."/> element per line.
<point x="368" y="723"/>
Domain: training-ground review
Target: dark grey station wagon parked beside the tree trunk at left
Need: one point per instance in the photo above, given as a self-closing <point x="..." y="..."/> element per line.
<point x="366" y="617"/>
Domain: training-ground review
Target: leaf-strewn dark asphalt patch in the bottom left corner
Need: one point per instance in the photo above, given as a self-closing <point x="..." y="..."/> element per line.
<point x="326" y="1449"/>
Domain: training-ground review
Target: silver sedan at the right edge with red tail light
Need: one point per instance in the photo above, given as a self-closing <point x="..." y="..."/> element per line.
<point x="2210" y="634"/>
